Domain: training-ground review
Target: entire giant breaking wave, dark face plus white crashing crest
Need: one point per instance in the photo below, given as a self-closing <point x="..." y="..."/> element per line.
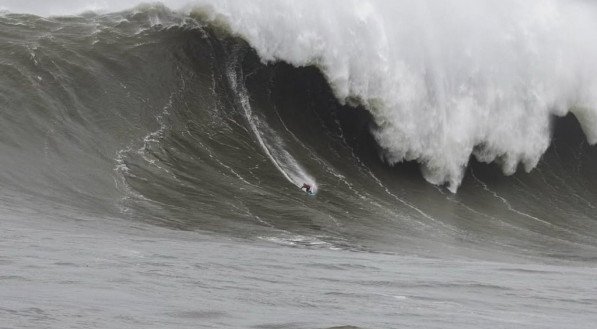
<point x="166" y="117"/>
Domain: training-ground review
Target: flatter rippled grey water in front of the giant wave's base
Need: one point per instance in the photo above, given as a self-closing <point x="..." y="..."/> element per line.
<point x="110" y="275"/>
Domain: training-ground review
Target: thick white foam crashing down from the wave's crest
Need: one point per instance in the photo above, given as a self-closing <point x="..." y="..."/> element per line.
<point x="443" y="79"/>
